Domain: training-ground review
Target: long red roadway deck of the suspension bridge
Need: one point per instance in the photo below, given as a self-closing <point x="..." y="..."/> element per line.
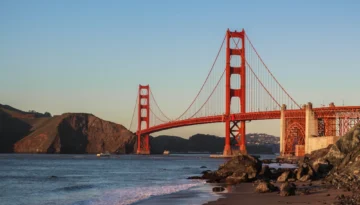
<point x="321" y="112"/>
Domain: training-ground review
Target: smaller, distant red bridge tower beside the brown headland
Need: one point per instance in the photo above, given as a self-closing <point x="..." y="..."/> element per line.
<point x="143" y="116"/>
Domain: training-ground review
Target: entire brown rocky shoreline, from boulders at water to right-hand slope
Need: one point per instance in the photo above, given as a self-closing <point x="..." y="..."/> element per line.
<point x="333" y="168"/>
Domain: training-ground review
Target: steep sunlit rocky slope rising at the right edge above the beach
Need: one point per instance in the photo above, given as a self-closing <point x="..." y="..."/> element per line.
<point x="340" y="164"/>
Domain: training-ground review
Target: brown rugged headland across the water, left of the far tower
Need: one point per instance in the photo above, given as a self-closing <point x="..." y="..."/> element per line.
<point x="70" y="133"/>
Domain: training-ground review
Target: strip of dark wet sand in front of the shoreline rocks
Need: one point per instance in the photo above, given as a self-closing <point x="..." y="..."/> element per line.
<point x="245" y="194"/>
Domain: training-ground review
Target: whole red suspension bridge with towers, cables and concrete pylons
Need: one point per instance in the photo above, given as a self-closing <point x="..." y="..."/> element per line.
<point x="239" y="87"/>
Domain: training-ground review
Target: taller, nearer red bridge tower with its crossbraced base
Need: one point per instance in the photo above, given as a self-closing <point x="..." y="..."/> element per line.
<point x="232" y="127"/>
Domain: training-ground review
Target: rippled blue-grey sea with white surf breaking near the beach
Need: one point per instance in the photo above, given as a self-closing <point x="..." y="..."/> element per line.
<point x="39" y="179"/>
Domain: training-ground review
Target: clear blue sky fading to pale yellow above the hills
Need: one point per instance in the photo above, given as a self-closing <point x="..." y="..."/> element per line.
<point x="90" y="56"/>
